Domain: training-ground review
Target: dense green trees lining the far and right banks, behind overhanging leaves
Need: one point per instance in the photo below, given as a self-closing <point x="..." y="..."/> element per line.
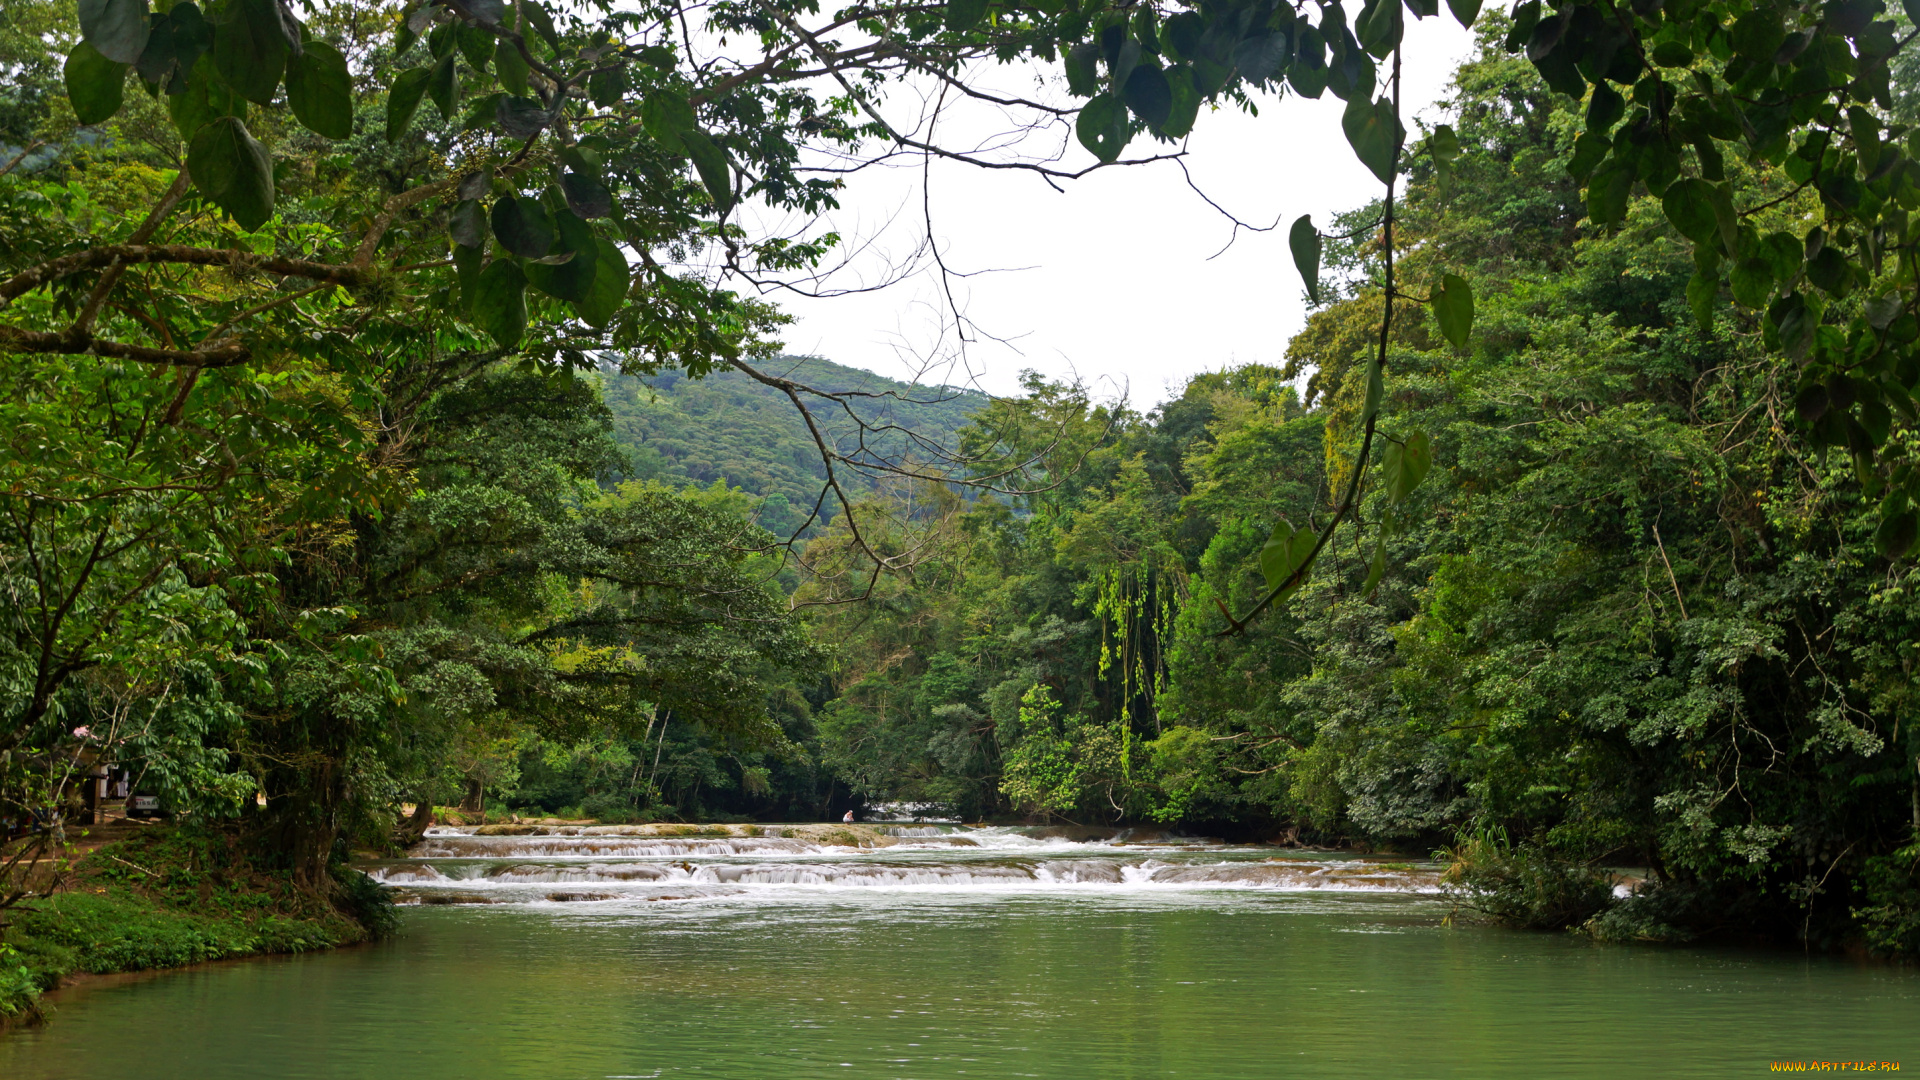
<point x="1625" y="622"/>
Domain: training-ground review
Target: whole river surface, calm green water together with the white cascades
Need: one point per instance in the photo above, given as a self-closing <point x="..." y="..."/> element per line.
<point x="1003" y="960"/>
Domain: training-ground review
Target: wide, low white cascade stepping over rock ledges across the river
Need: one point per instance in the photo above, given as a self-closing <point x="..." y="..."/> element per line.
<point x="688" y="864"/>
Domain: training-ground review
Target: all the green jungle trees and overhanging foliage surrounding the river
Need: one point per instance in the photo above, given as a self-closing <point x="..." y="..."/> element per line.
<point x="1575" y="533"/>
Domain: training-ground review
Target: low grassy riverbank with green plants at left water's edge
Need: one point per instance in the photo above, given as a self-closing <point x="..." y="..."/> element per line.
<point x="168" y="898"/>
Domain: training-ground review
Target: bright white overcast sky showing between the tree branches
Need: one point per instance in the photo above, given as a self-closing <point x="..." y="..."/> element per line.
<point x="1111" y="280"/>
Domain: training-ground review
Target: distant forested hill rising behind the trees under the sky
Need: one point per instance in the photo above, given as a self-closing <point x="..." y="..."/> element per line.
<point x="731" y="428"/>
